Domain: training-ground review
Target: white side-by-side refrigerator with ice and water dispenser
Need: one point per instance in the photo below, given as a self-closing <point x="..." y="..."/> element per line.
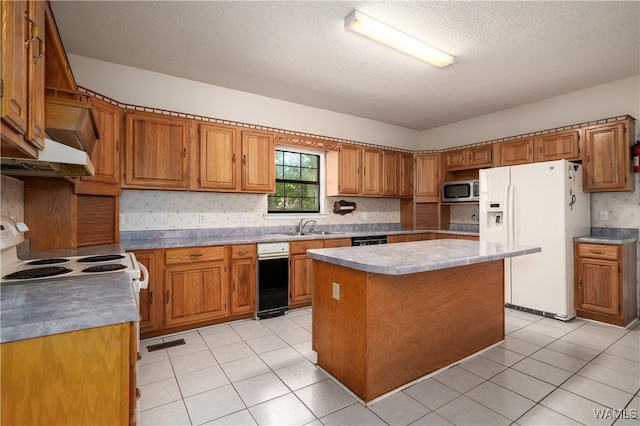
<point x="540" y="204"/>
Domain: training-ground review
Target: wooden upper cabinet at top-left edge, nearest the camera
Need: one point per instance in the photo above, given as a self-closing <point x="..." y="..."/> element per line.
<point x="22" y="78"/>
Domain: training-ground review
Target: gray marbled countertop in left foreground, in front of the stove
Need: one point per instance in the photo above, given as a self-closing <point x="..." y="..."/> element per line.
<point x="45" y="307"/>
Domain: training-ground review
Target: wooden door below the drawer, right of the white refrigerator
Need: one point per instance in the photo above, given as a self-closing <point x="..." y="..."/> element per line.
<point x="598" y="289"/>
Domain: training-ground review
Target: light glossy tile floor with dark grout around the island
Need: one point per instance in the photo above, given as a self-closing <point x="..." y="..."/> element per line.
<point x="547" y="372"/>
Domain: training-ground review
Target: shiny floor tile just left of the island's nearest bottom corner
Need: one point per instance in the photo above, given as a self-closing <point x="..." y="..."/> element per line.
<point x="324" y="398"/>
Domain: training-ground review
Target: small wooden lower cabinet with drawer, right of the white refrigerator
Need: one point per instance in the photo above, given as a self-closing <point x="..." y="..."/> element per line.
<point x="605" y="282"/>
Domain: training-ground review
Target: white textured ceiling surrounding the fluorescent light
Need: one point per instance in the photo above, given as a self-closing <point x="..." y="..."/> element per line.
<point x="507" y="53"/>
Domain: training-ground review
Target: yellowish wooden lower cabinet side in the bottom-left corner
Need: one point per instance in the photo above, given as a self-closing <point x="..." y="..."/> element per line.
<point x="79" y="377"/>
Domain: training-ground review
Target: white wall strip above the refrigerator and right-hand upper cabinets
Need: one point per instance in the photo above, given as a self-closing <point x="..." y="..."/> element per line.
<point x="617" y="98"/>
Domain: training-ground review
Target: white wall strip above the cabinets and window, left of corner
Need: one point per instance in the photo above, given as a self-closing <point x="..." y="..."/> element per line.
<point x="145" y="88"/>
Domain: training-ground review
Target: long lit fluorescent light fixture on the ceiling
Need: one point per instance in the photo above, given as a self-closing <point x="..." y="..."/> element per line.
<point x="367" y="26"/>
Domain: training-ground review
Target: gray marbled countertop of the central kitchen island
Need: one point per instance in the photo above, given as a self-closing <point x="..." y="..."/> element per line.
<point x="418" y="256"/>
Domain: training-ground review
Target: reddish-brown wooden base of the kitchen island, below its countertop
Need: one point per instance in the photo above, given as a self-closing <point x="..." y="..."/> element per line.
<point x="388" y="330"/>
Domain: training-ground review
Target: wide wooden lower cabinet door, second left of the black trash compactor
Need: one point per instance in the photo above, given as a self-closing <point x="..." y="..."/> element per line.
<point x="195" y="292"/>
